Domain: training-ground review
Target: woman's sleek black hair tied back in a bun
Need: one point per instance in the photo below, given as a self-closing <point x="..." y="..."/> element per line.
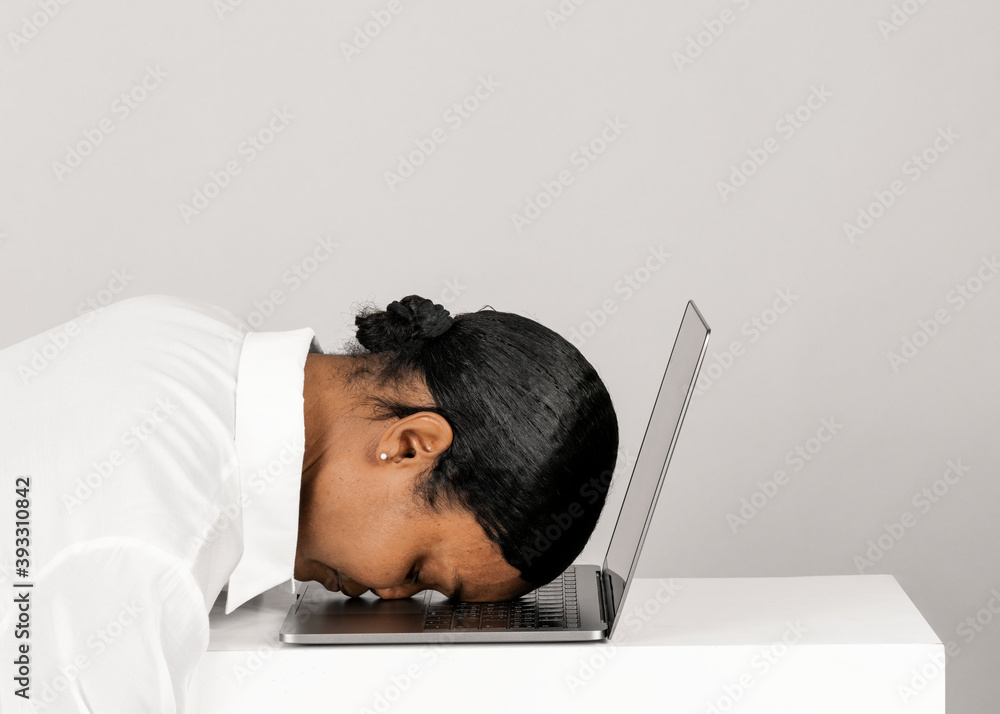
<point x="535" y="435"/>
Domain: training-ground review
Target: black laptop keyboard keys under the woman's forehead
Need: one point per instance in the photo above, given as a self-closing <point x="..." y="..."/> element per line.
<point x="550" y="606"/>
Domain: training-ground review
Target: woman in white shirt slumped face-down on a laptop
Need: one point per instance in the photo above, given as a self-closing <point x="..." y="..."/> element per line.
<point x="156" y="452"/>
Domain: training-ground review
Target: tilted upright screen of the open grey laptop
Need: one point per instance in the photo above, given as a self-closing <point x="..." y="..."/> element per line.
<point x="654" y="456"/>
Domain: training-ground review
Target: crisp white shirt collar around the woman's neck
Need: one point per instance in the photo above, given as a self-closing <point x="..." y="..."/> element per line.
<point x="270" y="444"/>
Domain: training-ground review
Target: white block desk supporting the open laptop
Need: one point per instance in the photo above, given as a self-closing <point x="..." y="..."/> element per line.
<point x="800" y="645"/>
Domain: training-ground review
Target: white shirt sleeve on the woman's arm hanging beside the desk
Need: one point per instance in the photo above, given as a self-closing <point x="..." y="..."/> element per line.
<point x="118" y="626"/>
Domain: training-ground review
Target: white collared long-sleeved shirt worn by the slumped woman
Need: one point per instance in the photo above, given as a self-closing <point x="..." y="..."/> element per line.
<point x="162" y="444"/>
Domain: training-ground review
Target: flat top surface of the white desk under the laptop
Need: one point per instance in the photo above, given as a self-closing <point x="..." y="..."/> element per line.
<point x="836" y="609"/>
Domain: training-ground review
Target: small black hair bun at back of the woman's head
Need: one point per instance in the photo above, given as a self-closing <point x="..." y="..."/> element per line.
<point x="403" y="323"/>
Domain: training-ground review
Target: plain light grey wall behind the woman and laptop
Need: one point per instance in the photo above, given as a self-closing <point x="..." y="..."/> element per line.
<point x="881" y="92"/>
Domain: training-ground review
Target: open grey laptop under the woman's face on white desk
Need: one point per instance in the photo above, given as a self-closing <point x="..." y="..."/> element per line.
<point x="581" y="604"/>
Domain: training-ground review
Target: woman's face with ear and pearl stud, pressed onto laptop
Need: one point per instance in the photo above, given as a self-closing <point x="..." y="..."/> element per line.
<point x="361" y="527"/>
